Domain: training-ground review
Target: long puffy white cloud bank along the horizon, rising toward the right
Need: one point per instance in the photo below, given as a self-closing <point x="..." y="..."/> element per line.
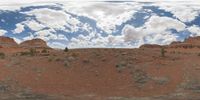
<point x="154" y="31"/>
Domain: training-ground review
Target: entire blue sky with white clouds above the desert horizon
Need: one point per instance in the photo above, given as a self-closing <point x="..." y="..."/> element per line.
<point x="100" y="24"/>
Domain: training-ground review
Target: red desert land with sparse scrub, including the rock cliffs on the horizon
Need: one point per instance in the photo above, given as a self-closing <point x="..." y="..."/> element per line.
<point x="33" y="71"/>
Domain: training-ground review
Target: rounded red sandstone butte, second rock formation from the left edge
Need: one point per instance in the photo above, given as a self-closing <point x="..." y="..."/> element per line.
<point x="36" y="43"/>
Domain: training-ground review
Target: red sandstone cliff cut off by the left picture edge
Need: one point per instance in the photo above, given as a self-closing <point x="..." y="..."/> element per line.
<point x="7" y="42"/>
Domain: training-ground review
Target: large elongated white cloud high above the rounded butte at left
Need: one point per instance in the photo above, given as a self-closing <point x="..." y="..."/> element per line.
<point x="53" y="19"/>
